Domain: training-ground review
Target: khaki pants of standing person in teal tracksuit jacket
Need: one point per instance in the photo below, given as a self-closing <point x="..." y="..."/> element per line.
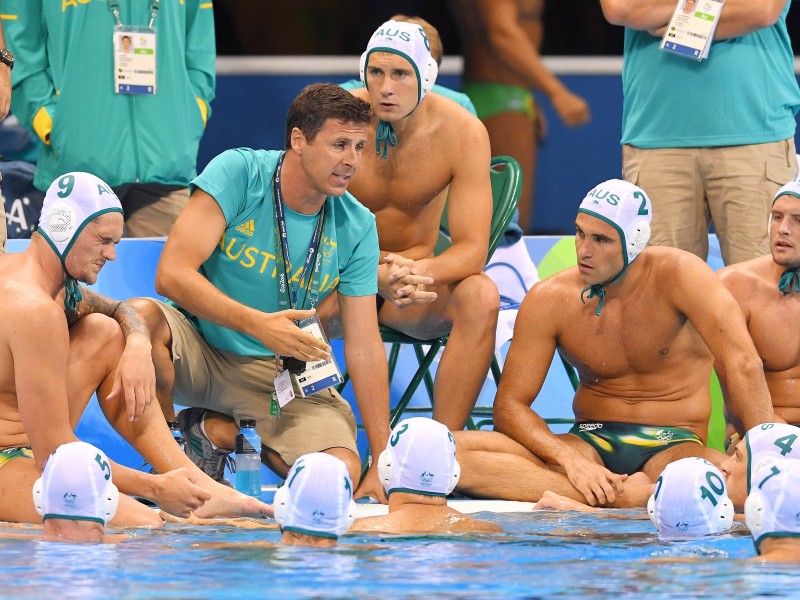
<point x="151" y="209"/>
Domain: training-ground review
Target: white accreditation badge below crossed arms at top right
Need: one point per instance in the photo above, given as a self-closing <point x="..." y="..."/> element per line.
<point x="691" y="29"/>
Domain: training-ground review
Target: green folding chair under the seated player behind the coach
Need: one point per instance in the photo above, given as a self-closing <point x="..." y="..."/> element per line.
<point x="506" y="182"/>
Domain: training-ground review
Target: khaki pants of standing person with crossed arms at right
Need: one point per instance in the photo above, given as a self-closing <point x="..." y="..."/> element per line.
<point x="731" y="186"/>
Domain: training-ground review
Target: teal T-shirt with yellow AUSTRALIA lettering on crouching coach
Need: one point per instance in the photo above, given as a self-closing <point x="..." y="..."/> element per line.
<point x="243" y="264"/>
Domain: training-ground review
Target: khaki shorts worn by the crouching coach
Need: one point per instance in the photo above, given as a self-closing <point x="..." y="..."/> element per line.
<point x="241" y="386"/>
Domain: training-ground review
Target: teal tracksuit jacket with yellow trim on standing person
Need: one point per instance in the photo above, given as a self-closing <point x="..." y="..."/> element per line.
<point x="63" y="88"/>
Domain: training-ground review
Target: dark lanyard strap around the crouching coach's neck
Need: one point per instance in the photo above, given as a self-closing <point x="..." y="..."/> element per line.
<point x="286" y="291"/>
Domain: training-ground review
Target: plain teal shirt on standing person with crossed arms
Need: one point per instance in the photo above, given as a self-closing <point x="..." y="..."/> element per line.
<point x="744" y="93"/>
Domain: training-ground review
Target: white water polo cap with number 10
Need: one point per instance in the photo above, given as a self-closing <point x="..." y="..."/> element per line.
<point x="690" y="500"/>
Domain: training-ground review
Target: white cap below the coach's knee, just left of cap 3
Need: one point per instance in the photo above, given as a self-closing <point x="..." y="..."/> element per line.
<point x="317" y="498"/>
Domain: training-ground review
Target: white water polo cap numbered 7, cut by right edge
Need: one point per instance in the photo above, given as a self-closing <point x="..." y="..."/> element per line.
<point x="773" y="507"/>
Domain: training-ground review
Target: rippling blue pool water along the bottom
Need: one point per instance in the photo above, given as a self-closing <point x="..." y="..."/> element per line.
<point x="541" y="554"/>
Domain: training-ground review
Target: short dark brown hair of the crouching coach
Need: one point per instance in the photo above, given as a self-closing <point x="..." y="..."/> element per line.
<point x="318" y="102"/>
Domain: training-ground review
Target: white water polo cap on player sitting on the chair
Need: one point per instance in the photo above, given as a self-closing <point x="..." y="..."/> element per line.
<point x="409" y="41"/>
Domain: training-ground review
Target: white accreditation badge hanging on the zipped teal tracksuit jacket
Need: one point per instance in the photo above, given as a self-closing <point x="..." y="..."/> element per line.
<point x="134" y="60"/>
